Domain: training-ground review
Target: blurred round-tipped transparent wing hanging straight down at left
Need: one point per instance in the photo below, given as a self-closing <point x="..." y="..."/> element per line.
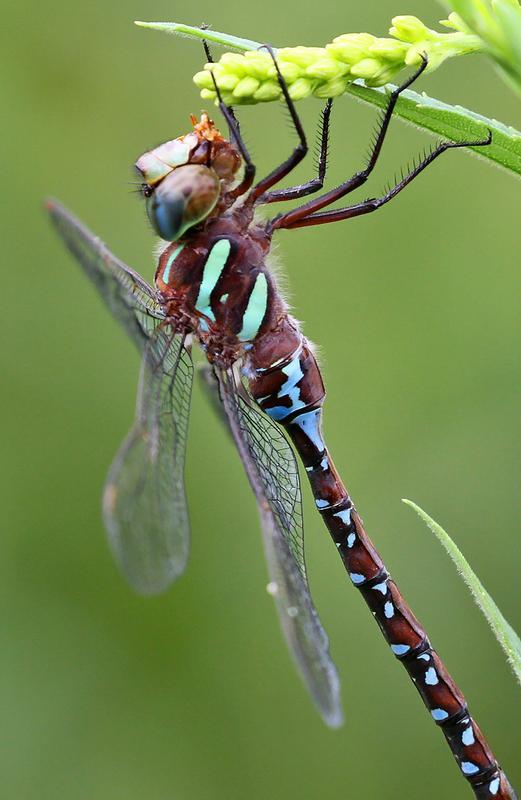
<point x="144" y="502"/>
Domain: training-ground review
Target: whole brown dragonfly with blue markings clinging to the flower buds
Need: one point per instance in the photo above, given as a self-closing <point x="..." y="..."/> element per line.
<point x="213" y="287"/>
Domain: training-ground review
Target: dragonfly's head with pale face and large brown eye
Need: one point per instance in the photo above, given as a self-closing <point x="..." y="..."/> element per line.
<point x="184" y="178"/>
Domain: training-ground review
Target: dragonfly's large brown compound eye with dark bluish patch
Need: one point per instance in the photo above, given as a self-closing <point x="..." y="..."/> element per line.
<point x="183" y="199"/>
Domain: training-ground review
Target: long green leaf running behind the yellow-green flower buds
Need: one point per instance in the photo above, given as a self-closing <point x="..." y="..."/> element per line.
<point x="453" y="122"/>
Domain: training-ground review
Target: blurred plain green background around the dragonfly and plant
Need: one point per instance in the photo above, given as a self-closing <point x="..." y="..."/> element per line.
<point x="192" y="695"/>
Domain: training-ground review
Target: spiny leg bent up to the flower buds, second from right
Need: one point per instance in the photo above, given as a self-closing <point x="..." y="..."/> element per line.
<point x="286" y="220"/>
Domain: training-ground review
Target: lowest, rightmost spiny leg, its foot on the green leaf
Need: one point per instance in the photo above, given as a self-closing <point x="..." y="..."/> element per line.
<point x="374" y="203"/>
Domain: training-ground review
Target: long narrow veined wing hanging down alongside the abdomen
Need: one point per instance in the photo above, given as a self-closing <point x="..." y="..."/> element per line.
<point x="272" y="470"/>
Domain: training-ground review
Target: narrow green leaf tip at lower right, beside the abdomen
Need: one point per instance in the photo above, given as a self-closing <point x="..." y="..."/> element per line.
<point x="504" y="633"/>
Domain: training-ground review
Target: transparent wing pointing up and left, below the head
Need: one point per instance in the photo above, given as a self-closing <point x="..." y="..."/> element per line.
<point x="132" y="301"/>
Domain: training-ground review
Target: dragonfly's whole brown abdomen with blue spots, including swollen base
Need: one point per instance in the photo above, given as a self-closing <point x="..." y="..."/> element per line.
<point x="291" y="391"/>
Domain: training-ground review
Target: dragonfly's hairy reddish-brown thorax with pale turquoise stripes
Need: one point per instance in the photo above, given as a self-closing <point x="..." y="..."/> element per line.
<point x="218" y="282"/>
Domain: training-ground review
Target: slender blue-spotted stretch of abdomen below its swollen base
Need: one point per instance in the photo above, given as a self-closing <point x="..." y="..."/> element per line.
<point x="404" y="633"/>
